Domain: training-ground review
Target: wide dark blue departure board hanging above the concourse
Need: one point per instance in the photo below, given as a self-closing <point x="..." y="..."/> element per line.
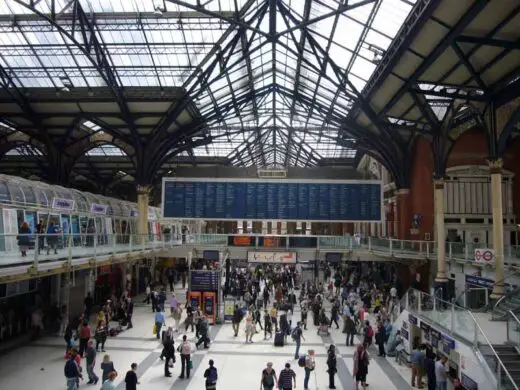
<point x="273" y="199"/>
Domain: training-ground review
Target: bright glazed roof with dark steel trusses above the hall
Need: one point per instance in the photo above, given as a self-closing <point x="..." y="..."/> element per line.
<point x="273" y="88"/>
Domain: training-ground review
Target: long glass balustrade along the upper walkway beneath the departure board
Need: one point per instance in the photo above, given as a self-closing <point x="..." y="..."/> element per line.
<point x="105" y="244"/>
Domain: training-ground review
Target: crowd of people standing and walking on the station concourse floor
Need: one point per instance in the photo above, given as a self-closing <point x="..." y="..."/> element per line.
<point x="275" y="302"/>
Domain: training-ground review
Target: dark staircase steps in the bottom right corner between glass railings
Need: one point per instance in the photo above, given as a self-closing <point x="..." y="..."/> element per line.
<point x="510" y="357"/>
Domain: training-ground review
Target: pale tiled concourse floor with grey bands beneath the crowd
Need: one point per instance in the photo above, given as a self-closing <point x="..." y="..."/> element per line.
<point x="40" y="366"/>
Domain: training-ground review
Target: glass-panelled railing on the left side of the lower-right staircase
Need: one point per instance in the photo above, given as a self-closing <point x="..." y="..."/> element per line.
<point x="461" y="324"/>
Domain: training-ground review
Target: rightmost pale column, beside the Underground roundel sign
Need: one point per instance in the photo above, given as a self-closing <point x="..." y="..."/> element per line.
<point x="495" y="169"/>
